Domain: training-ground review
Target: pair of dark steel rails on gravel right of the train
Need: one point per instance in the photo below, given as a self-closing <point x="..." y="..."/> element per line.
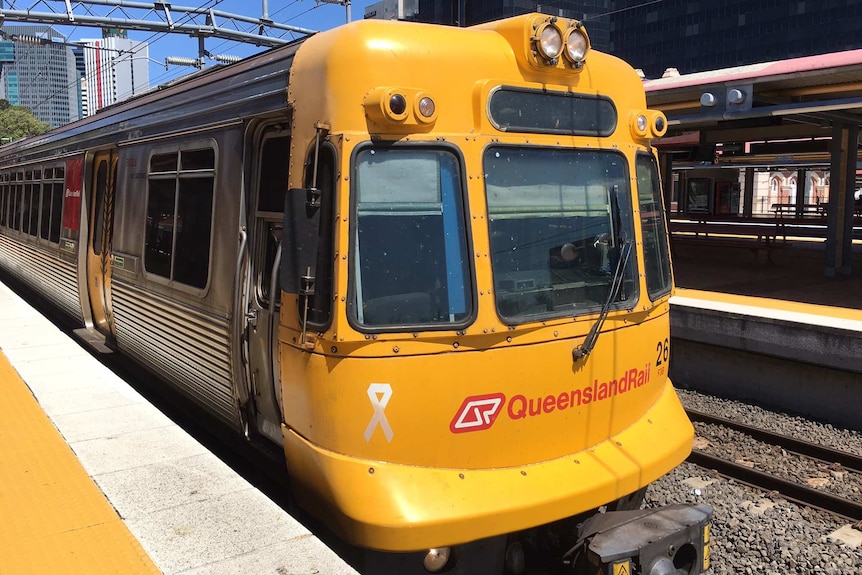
<point x="790" y="489"/>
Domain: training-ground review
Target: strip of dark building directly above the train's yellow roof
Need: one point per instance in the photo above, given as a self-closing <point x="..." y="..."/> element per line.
<point x="594" y="13"/>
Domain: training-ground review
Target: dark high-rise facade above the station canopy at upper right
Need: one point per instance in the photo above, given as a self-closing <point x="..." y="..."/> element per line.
<point x="695" y="36"/>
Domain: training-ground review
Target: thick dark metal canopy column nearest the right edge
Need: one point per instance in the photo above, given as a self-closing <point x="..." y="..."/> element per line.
<point x="839" y="235"/>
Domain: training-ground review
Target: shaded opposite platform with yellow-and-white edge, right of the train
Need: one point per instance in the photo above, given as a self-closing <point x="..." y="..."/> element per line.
<point x="779" y="333"/>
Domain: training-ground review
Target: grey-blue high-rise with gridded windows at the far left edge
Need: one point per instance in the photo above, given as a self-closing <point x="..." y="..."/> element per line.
<point x="42" y="75"/>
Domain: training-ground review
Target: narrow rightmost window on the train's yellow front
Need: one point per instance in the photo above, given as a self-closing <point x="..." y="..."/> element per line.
<point x="656" y="253"/>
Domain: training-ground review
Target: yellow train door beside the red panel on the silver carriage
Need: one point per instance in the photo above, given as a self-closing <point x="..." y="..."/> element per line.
<point x="103" y="177"/>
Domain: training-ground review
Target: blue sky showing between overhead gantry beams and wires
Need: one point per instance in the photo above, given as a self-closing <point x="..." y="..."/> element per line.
<point x="301" y="13"/>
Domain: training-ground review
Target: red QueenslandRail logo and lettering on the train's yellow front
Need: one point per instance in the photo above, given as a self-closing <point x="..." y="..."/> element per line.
<point x="478" y="412"/>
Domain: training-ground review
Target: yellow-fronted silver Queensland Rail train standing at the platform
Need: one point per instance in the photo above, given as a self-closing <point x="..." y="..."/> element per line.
<point x="430" y="264"/>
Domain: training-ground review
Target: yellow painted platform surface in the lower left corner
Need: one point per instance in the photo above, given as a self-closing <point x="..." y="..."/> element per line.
<point x="53" y="516"/>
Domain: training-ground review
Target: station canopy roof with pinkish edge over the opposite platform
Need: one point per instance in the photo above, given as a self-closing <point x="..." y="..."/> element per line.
<point x="772" y="114"/>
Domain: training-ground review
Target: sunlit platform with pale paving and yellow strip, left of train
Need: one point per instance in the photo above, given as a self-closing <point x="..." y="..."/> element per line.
<point x="96" y="480"/>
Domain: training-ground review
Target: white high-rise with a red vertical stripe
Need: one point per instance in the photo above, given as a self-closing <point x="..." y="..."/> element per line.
<point x="116" y="68"/>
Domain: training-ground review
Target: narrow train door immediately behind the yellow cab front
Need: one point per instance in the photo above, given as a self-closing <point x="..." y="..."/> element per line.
<point x="272" y="151"/>
